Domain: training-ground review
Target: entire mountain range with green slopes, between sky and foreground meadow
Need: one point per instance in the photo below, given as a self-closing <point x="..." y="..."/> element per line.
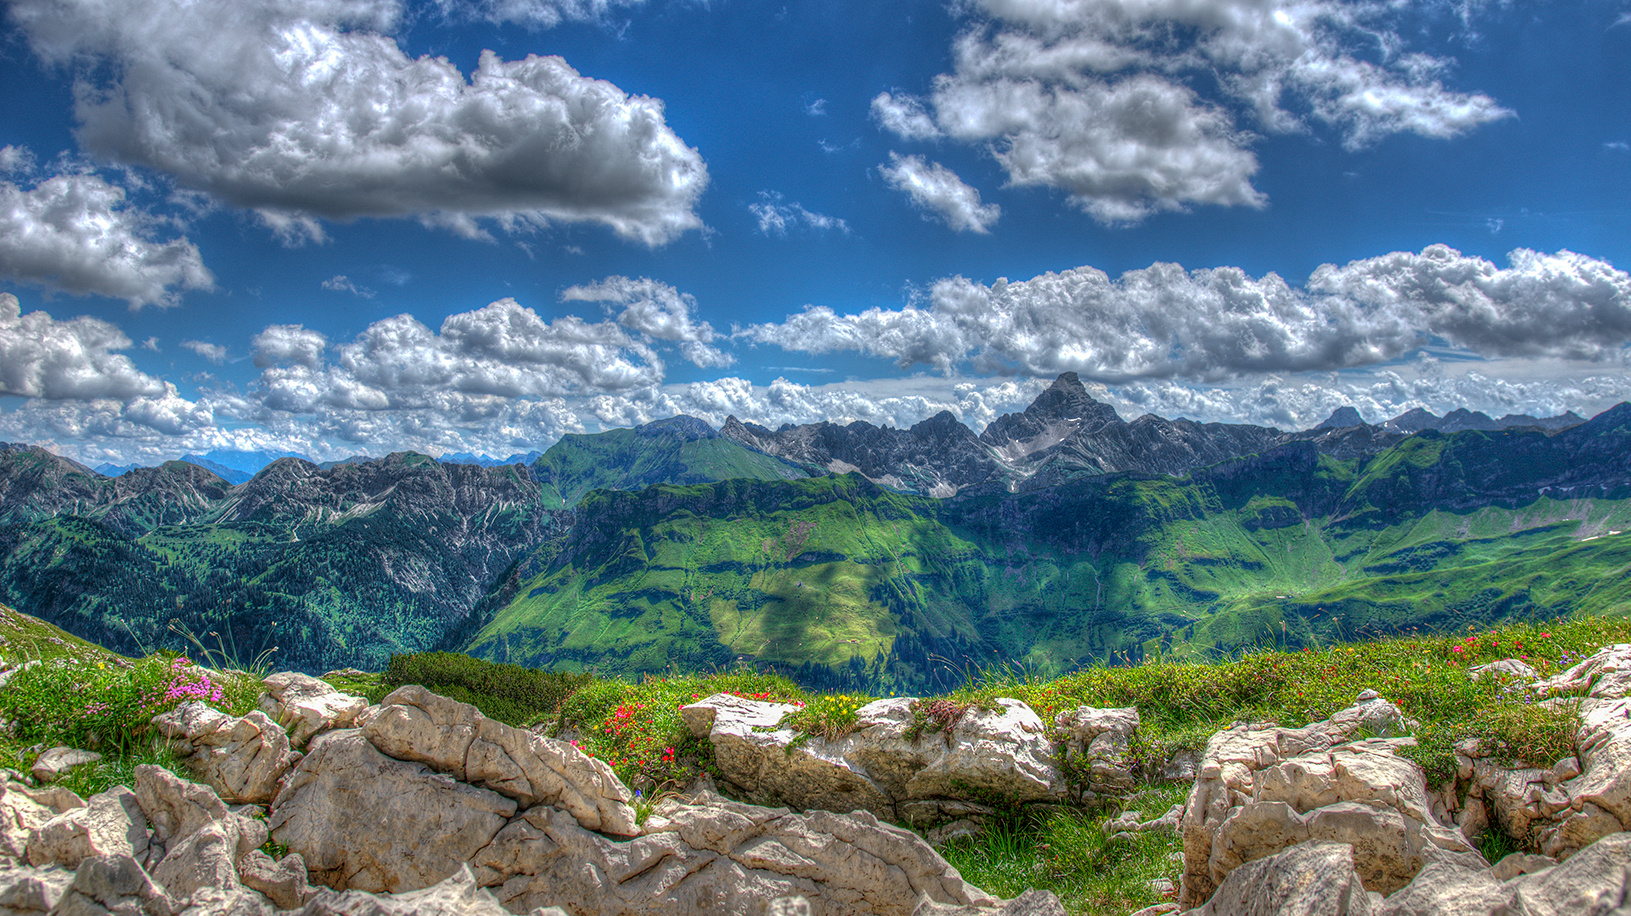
<point x="844" y="555"/>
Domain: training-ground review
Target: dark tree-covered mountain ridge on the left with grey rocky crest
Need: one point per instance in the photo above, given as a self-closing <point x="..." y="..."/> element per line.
<point x="334" y="568"/>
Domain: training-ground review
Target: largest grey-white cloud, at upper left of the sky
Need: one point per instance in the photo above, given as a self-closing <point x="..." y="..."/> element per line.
<point x="301" y="110"/>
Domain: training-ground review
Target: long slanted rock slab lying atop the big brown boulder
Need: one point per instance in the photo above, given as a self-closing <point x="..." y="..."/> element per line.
<point x="454" y="738"/>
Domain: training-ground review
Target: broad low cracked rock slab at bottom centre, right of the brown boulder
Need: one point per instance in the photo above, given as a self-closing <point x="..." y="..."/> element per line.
<point x="717" y="857"/>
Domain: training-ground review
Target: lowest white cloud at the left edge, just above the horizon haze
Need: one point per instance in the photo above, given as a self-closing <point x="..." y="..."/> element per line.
<point x="43" y="358"/>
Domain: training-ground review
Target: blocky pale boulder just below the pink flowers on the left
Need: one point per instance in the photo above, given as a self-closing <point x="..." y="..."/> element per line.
<point x="241" y="759"/>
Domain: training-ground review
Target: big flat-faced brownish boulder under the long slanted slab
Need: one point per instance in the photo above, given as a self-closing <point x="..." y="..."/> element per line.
<point x="369" y="822"/>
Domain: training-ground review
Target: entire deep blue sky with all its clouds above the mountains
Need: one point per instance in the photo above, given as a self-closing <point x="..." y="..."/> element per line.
<point x="347" y="227"/>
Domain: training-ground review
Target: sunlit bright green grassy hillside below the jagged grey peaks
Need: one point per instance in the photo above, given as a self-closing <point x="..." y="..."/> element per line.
<point x="844" y="584"/>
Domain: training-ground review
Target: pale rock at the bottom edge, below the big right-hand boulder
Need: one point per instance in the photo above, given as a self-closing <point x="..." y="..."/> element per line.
<point x="1311" y="879"/>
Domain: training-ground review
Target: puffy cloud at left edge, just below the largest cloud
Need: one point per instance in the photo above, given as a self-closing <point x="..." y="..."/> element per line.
<point x="76" y="232"/>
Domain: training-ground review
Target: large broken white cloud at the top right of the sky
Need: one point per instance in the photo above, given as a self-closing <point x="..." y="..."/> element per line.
<point x="1129" y="105"/>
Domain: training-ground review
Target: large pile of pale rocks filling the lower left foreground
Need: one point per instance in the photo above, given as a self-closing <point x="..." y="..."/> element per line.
<point x="425" y="806"/>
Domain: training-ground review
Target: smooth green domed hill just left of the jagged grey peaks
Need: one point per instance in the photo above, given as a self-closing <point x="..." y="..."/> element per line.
<point x="679" y="451"/>
